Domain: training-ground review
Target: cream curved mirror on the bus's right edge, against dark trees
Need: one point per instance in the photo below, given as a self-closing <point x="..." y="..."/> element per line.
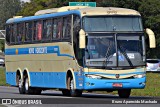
<point x="152" y="40"/>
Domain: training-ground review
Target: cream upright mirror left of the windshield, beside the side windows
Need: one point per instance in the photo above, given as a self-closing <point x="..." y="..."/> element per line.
<point x="82" y="39"/>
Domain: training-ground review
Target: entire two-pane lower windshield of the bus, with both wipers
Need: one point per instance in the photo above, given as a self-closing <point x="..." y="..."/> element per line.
<point x="101" y="50"/>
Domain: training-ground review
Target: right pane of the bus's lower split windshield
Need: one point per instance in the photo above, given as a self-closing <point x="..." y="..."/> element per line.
<point x="130" y="50"/>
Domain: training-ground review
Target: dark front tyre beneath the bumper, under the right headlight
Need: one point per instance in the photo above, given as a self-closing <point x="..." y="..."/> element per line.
<point x="124" y="93"/>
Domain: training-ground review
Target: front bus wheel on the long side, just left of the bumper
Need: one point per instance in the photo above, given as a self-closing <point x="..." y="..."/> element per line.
<point x="73" y="92"/>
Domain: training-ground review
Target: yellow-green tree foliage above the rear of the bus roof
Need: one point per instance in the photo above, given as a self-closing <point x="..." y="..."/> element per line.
<point x="32" y="7"/>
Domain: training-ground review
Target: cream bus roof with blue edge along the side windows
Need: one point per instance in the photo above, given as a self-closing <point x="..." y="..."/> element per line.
<point x="80" y="10"/>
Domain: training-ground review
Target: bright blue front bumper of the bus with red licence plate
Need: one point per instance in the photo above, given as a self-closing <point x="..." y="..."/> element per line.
<point x="102" y="84"/>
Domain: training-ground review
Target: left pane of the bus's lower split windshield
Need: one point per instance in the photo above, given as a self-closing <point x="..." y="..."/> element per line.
<point x="99" y="49"/>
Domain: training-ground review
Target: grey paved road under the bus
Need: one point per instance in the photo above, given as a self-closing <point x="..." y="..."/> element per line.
<point x="92" y="99"/>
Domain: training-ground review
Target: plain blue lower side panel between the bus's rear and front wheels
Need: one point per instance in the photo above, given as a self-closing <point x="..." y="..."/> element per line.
<point x="48" y="79"/>
